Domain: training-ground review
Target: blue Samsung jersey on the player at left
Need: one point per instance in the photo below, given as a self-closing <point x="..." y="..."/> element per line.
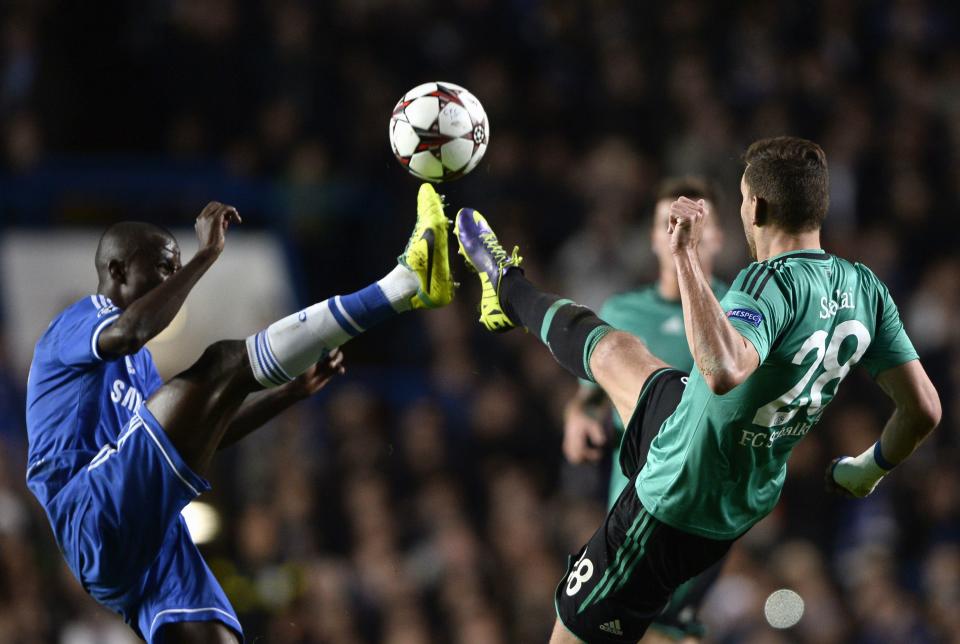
<point x="78" y="403"/>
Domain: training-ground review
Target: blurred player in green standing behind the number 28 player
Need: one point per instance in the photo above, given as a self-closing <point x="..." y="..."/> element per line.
<point x="652" y="313"/>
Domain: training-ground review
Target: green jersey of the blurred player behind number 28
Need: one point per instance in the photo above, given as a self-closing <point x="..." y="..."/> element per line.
<point x="659" y="323"/>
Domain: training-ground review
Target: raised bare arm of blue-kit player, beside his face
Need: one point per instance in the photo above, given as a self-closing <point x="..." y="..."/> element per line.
<point x="150" y="314"/>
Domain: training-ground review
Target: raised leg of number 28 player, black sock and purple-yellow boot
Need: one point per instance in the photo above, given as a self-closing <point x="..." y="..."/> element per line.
<point x="581" y="342"/>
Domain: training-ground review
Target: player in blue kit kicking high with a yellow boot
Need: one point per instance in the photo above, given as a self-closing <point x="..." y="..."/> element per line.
<point x="115" y="454"/>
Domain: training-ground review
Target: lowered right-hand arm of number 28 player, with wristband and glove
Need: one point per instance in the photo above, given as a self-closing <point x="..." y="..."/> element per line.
<point x="917" y="413"/>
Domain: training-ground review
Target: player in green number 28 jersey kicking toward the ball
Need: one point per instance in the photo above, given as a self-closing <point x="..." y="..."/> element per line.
<point x="769" y="358"/>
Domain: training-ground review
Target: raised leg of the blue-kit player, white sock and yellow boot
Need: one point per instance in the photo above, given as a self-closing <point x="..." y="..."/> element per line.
<point x="196" y="407"/>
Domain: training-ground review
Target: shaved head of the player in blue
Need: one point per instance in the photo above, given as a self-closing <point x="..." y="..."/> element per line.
<point x="134" y="257"/>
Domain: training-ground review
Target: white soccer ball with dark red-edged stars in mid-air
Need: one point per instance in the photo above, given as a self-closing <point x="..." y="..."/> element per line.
<point x="439" y="131"/>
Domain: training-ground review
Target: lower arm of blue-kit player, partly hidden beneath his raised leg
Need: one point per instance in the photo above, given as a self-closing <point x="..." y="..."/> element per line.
<point x="263" y="406"/>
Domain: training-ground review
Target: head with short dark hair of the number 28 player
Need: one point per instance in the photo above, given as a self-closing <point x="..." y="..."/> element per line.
<point x="790" y="175"/>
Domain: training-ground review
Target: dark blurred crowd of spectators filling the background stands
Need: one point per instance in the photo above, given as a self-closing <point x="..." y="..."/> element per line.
<point x="423" y="497"/>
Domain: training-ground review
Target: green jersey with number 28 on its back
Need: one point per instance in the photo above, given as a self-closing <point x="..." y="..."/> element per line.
<point x="719" y="462"/>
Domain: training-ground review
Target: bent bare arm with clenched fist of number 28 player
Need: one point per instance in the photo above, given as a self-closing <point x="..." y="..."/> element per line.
<point x="725" y="358"/>
